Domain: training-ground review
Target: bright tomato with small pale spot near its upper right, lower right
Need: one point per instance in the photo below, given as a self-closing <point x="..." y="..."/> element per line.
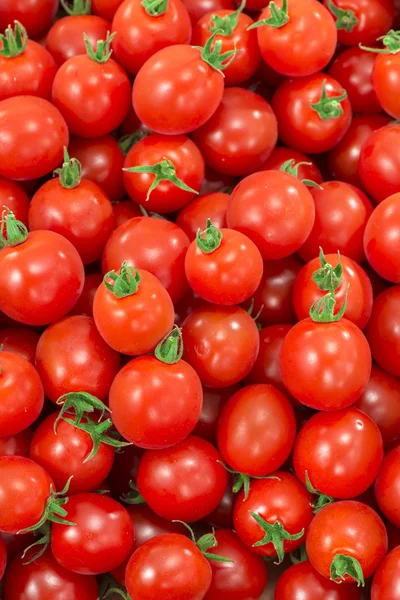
<point x="341" y="452"/>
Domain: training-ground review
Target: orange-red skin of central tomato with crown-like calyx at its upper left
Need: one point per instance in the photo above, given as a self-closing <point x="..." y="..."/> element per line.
<point x="135" y="324"/>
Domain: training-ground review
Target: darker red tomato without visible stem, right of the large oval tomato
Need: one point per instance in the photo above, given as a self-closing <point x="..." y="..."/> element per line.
<point x="240" y="135"/>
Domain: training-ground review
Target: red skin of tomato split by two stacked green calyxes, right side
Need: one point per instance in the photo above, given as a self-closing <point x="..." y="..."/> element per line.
<point x="355" y="289"/>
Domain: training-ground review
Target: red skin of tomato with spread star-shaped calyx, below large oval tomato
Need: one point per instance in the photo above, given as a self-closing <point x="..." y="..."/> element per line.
<point x="189" y="166"/>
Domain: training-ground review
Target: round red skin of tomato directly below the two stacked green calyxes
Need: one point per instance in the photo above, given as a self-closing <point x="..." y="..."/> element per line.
<point x="335" y="357"/>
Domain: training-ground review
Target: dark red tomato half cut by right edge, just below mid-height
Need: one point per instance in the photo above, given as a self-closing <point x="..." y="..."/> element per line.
<point x="383" y="330"/>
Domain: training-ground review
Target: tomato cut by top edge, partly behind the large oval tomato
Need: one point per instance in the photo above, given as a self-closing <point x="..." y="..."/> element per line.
<point x="141" y="33"/>
